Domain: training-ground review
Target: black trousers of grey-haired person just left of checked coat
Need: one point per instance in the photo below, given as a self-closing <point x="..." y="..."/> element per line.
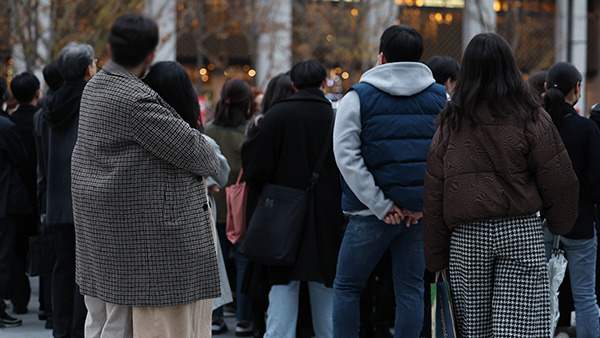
<point x="68" y="307"/>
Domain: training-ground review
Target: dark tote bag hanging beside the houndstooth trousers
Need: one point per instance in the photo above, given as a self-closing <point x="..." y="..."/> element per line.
<point x="442" y="315"/>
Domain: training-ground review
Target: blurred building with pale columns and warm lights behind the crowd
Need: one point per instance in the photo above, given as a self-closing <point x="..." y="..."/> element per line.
<point x="256" y="39"/>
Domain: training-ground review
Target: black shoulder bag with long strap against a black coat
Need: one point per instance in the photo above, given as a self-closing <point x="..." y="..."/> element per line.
<point x="275" y="229"/>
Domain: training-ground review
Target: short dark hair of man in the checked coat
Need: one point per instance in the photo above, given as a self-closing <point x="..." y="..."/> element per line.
<point x="132" y="38"/>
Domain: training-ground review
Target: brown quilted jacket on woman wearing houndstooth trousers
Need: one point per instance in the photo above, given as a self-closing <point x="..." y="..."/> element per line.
<point x="501" y="168"/>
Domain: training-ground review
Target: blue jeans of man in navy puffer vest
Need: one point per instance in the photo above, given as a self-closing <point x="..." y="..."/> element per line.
<point x="365" y="241"/>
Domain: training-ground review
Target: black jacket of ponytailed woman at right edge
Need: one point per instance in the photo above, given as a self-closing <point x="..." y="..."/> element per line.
<point x="581" y="137"/>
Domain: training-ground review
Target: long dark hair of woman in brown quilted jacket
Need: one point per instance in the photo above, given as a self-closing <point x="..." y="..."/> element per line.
<point x="488" y="76"/>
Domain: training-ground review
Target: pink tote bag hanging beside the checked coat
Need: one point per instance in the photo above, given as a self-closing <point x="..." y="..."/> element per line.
<point x="237" y="197"/>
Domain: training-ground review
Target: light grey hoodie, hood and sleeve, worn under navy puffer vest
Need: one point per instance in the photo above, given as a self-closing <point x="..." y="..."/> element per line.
<point x="398" y="79"/>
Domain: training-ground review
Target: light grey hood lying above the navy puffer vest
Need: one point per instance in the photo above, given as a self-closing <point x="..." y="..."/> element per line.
<point x="399" y="78"/>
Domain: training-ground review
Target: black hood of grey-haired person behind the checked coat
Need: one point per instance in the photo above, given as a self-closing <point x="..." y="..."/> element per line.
<point x="64" y="103"/>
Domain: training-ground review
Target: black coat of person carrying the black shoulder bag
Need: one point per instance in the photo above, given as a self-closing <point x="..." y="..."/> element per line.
<point x="283" y="149"/>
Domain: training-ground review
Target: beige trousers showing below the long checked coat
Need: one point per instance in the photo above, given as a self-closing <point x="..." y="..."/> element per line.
<point x="181" y="321"/>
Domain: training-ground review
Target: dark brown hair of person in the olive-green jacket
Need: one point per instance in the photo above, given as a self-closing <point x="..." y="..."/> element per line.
<point x="235" y="106"/>
